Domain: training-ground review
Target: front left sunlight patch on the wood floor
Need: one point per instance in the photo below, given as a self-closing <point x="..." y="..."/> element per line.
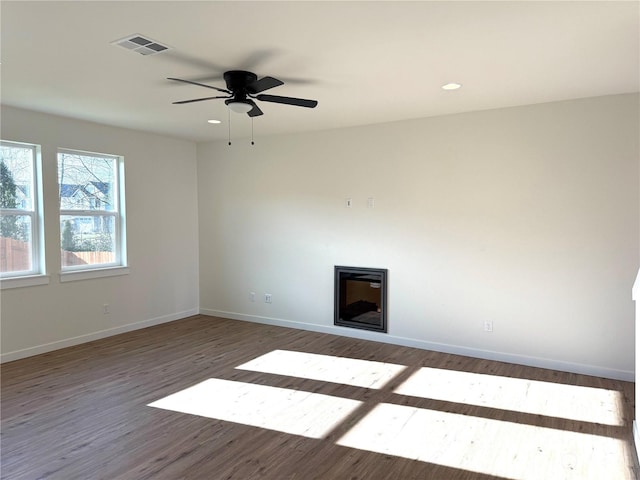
<point x="296" y="412"/>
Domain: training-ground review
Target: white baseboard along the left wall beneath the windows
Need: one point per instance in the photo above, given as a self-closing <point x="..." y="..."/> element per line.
<point x="89" y="337"/>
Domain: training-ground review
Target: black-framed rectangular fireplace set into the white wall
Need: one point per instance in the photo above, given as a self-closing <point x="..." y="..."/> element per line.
<point x="361" y="298"/>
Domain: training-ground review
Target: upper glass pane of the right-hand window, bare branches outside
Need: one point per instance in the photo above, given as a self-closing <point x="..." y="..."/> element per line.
<point x="86" y="182"/>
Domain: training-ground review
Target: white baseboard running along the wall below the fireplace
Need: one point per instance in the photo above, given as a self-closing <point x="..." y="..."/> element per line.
<point x="549" y="363"/>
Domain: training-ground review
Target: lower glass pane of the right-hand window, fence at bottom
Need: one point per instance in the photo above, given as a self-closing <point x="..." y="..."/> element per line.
<point x="87" y="240"/>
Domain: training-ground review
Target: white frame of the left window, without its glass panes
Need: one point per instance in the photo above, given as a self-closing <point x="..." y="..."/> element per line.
<point x="37" y="275"/>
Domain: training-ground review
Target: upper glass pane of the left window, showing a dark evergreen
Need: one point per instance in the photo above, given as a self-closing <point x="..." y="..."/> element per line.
<point x="16" y="176"/>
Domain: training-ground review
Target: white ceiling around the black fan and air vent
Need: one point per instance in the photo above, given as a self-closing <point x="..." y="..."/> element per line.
<point x="365" y="62"/>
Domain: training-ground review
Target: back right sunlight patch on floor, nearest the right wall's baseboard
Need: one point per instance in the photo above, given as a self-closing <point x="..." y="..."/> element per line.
<point x="588" y="404"/>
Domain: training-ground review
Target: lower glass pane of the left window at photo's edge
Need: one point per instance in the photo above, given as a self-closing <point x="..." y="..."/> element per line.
<point x="15" y="243"/>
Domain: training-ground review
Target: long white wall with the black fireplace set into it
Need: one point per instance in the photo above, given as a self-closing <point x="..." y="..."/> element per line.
<point x="527" y="217"/>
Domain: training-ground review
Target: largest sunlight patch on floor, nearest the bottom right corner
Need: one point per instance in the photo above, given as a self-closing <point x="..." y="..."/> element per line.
<point x="492" y="447"/>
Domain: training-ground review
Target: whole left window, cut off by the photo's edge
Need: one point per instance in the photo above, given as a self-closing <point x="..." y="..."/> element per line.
<point x="20" y="212"/>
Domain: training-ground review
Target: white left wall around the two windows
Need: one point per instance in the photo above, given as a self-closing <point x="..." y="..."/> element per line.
<point x="162" y="234"/>
